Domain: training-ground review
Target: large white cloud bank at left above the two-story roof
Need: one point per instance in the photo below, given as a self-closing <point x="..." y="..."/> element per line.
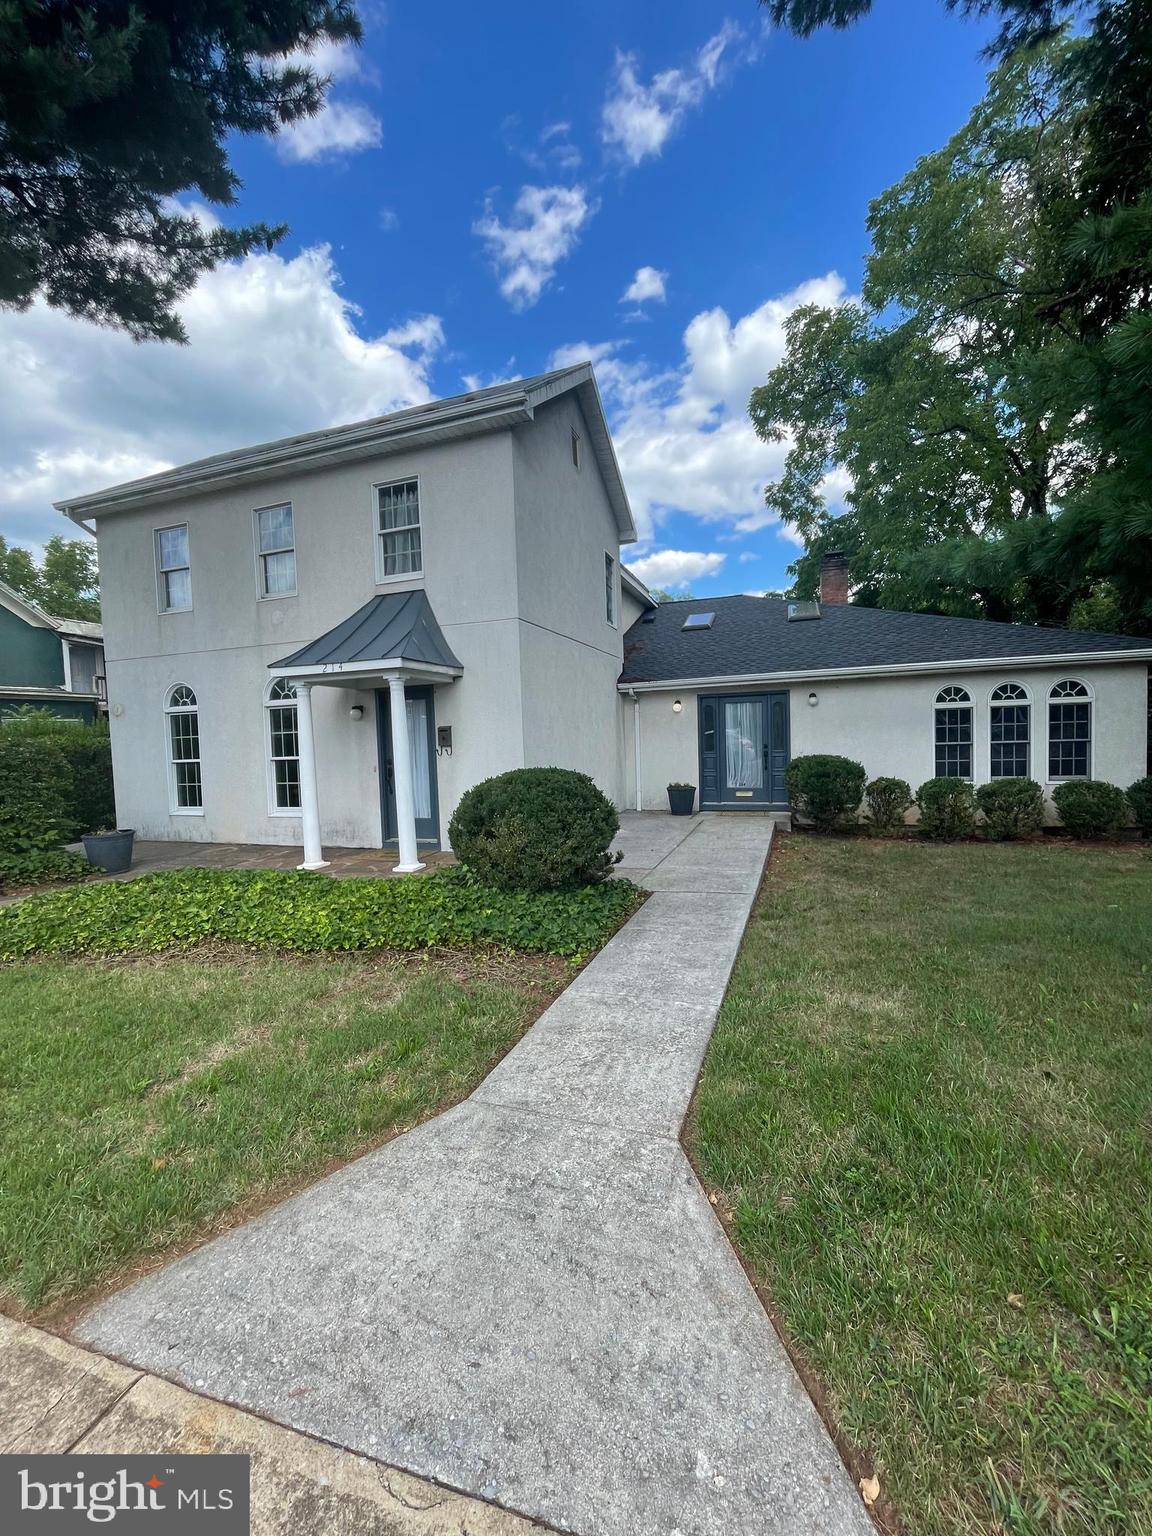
<point x="274" y="349"/>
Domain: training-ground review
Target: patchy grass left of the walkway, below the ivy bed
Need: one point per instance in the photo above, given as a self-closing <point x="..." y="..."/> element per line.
<point x="145" y="1102"/>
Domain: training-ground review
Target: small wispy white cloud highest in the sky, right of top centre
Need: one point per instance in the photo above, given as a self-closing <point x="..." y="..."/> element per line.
<point x="638" y="119"/>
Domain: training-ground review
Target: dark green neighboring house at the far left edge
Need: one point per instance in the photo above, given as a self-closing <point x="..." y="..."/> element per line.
<point x="50" y="664"/>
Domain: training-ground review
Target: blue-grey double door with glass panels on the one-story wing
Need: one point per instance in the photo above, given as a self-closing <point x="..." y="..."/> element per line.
<point x="744" y="750"/>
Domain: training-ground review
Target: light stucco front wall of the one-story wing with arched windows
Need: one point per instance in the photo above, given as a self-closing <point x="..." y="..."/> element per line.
<point x="889" y="726"/>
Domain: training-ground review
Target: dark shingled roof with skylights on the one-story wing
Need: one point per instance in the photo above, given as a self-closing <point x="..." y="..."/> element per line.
<point x="755" y="637"/>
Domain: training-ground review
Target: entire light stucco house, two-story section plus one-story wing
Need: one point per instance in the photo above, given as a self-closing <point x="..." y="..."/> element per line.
<point x="326" y="640"/>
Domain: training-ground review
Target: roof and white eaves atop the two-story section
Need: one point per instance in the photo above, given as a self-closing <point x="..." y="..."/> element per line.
<point x="492" y="409"/>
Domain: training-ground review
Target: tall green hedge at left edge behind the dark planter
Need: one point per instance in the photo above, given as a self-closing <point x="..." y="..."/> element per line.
<point x="56" y="783"/>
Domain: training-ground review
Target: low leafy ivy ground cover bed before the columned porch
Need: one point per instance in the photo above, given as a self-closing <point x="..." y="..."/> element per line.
<point x="293" y="910"/>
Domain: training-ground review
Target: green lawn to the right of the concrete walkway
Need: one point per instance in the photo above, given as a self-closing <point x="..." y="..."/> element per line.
<point x="929" y="1107"/>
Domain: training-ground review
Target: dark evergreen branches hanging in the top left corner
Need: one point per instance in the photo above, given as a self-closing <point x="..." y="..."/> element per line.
<point x="108" y="111"/>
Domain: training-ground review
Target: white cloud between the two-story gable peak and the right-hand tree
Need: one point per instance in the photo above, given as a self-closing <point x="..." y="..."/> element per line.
<point x="683" y="437"/>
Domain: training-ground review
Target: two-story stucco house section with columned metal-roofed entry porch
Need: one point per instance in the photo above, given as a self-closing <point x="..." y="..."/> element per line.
<point x="329" y="638"/>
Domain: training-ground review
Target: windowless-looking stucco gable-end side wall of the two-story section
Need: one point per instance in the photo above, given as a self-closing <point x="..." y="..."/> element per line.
<point x="571" y="654"/>
